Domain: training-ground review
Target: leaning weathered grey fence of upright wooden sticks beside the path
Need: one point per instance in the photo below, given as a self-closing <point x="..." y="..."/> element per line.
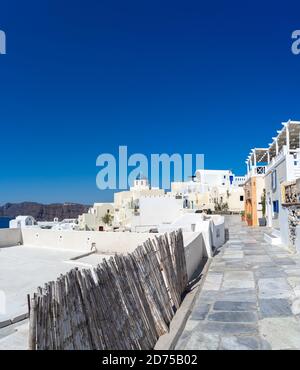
<point x="126" y="302"/>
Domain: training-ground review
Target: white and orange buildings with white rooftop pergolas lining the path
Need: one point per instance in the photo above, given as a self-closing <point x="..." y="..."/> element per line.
<point x="269" y="171"/>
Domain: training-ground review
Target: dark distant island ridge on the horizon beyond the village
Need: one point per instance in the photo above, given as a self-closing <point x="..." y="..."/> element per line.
<point x="43" y="212"/>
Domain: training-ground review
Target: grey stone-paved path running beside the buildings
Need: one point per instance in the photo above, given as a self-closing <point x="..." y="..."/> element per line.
<point x="250" y="298"/>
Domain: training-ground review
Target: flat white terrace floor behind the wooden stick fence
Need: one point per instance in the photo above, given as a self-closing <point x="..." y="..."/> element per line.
<point x="22" y="270"/>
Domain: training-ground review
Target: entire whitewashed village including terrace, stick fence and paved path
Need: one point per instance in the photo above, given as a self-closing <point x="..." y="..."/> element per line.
<point x="227" y="244"/>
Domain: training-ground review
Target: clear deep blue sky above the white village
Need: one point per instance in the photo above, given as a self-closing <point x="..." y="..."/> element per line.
<point x="82" y="77"/>
